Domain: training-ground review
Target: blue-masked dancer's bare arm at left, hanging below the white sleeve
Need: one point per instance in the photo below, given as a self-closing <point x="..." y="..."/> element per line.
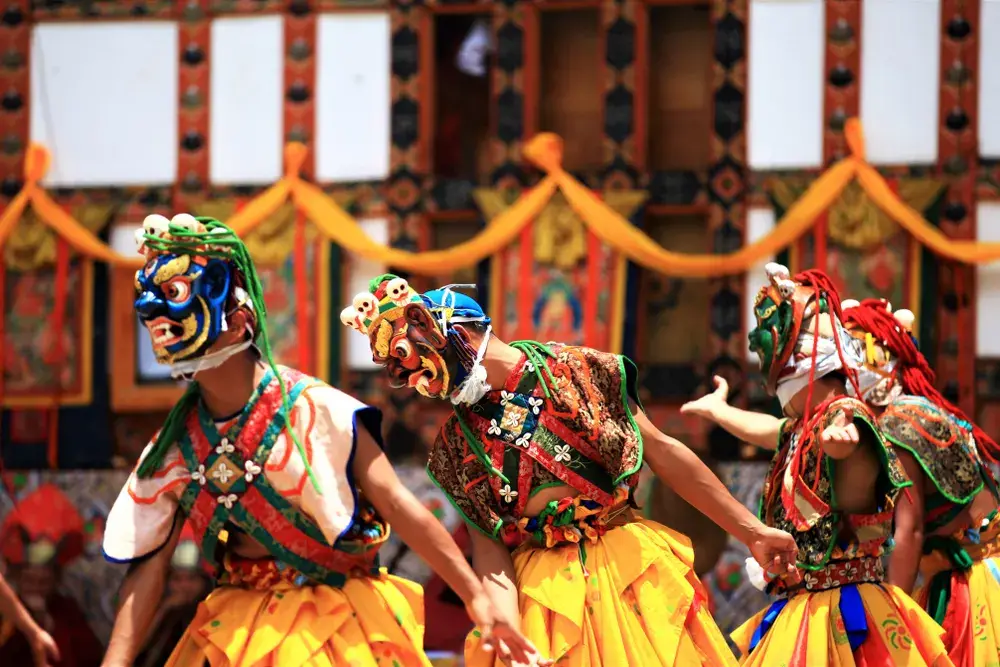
<point x="140" y="597"/>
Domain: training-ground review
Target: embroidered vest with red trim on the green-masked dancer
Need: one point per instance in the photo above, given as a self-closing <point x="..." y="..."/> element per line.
<point x="798" y="492"/>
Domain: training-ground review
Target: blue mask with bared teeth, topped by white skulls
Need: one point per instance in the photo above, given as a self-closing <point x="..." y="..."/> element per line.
<point x="187" y="286"/>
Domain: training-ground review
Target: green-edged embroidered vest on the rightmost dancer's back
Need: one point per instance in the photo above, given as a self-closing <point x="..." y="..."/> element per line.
<point x="944" y="449"/>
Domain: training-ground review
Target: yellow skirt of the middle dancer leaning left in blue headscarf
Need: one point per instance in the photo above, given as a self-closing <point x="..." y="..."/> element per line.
<point x="629" y="599"/>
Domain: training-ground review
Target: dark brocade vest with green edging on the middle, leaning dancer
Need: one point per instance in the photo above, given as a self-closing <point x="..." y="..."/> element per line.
<point x="582" y="432"/>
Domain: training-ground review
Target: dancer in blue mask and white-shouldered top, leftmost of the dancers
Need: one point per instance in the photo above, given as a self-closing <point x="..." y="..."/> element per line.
<point x="280" y="476"/>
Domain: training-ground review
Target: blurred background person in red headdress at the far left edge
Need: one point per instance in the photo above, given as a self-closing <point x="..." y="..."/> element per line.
<point x="39" y="538"/>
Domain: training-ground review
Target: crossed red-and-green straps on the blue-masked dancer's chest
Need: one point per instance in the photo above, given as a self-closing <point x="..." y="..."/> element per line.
<point x="229" y="485"/>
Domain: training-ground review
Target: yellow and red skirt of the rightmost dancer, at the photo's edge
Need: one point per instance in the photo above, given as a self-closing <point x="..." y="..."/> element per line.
<point x="972" y="622"/>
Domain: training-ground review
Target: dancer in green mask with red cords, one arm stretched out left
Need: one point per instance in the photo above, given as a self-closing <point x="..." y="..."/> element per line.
<point x="834" y="483"/>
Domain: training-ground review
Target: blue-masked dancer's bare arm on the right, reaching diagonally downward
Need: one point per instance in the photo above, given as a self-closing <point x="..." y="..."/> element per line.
<point x="427" y="536"/>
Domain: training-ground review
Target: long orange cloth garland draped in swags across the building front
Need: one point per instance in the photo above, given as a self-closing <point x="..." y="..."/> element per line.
<point x="544" y="150"/>
